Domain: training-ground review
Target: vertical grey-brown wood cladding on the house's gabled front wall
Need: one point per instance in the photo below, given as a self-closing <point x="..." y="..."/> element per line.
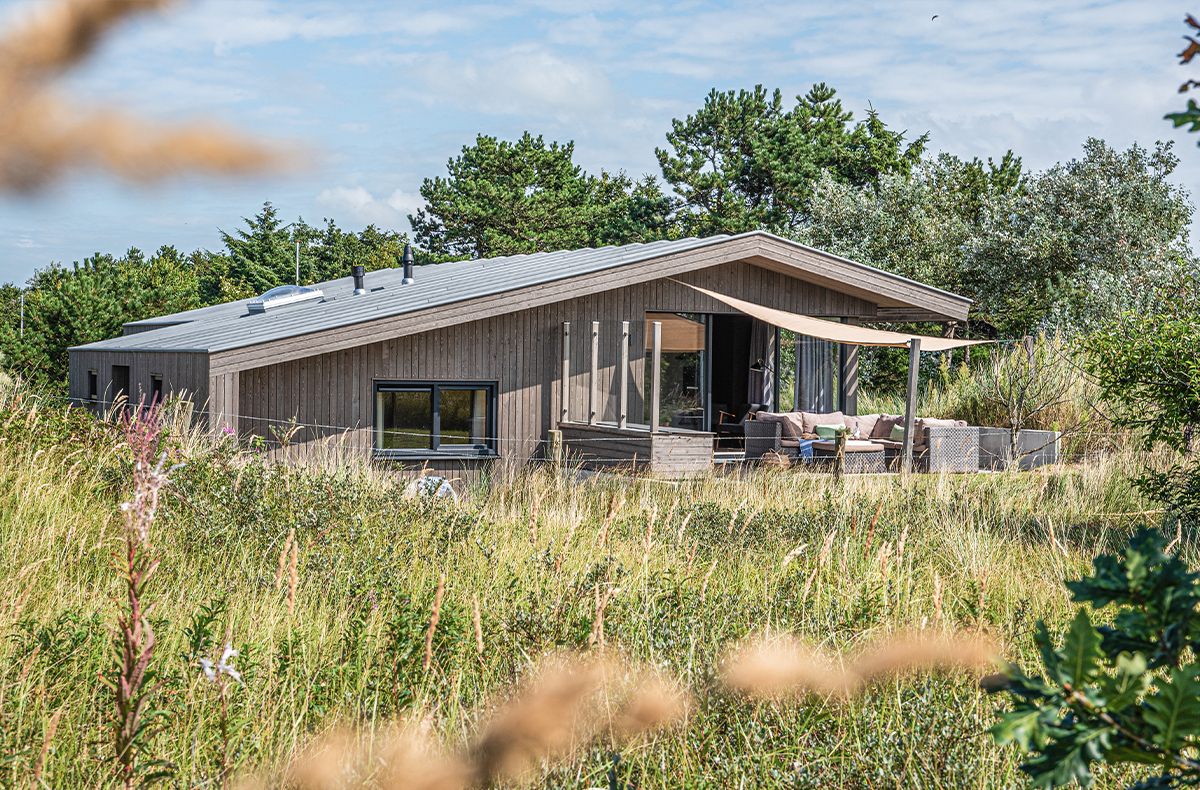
<point x="332" y="396"/>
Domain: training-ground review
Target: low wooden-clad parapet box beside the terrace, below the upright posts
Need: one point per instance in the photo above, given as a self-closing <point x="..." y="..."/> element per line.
<point x="673" y="453"/>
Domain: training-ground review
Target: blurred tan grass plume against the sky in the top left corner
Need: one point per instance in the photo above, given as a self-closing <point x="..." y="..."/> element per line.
<point x="43" y="135"/>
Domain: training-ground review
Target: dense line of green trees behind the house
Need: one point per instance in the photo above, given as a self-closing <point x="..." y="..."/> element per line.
<point x="1070" y="247"/>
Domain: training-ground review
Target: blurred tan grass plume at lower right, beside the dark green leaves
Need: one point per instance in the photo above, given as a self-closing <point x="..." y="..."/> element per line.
<point x="785" y="668"/>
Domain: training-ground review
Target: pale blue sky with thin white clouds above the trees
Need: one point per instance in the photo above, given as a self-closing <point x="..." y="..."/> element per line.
<point x="382" y="94"/>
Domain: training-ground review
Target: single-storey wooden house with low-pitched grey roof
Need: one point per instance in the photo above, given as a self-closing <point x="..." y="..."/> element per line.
<point x="467" y="363"/>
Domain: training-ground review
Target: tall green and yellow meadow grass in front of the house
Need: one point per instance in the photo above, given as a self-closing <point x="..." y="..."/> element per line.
<point x="688" y="570"/>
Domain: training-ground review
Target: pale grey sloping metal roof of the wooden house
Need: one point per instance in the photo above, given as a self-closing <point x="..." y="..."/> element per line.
<point x="231" y="326"/>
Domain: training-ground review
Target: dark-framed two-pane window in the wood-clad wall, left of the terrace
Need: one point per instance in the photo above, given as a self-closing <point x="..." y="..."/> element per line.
<point x="415" y="418"/>
